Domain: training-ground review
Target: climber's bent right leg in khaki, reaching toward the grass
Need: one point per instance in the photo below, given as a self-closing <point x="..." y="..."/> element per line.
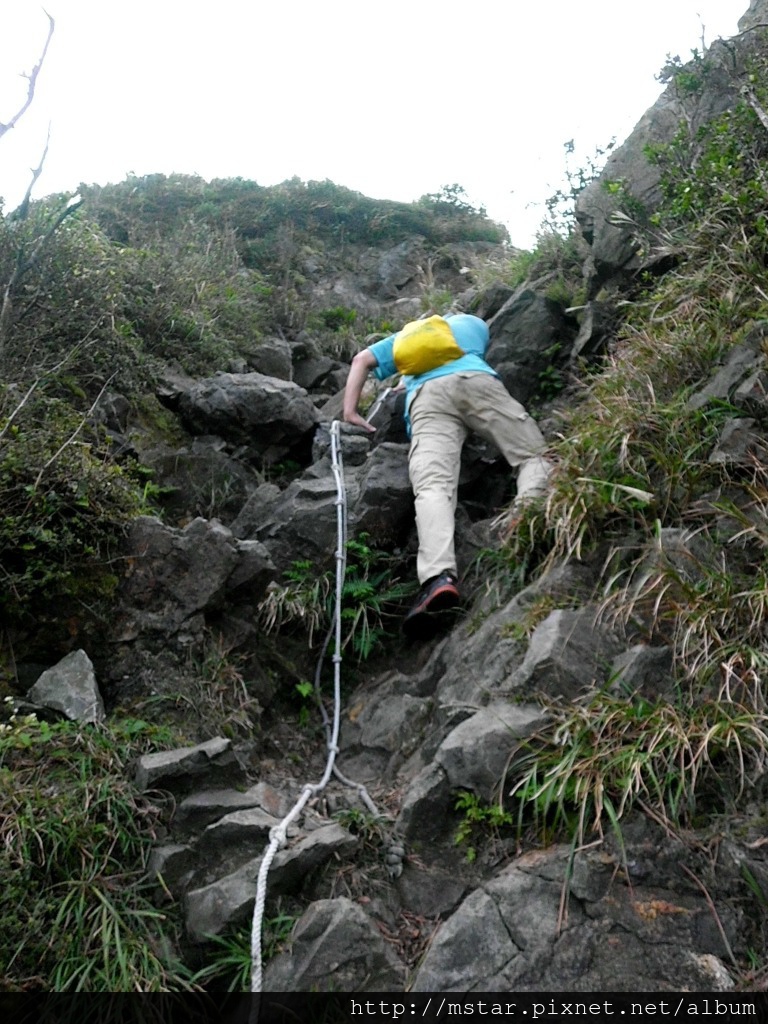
<point x="491" y="411"/>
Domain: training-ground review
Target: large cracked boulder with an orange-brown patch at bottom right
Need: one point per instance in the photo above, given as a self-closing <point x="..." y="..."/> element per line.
<point x="510" y="934"/>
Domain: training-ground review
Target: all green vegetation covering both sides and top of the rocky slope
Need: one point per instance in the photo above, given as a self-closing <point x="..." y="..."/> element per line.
<point x="160" y="271"/>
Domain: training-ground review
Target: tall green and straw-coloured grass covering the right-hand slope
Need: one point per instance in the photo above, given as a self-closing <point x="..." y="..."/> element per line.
<point x="678" y="537"/>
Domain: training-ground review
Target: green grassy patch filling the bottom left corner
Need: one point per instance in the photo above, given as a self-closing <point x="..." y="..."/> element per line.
<point x="76" y="913"/>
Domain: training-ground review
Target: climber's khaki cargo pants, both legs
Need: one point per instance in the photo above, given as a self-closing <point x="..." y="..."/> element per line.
<point x="443" y="413"/>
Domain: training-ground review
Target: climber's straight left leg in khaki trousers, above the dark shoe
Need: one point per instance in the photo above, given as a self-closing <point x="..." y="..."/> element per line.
<point x="435" y="462"/>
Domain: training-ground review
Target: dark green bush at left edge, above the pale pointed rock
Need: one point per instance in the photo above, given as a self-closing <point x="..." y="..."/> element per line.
<point x="65" y="506"/>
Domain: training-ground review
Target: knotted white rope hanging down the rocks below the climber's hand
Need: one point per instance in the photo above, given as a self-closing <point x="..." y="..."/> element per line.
<point x="279" y="833"/>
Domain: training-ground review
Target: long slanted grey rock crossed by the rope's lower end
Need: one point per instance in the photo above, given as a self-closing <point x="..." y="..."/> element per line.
<point x="229" y="902"/>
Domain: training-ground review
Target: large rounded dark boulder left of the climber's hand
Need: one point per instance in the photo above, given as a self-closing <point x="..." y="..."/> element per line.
<point x="272" y="417"/>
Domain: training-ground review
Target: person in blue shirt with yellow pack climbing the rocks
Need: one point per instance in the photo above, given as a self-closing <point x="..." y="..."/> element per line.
<point x="450" y="392"/>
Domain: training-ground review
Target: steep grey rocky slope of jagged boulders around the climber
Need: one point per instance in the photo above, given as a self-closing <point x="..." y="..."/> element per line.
<point x="386" y="898"/>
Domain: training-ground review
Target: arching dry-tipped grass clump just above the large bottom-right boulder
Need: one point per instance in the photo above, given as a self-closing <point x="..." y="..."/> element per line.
<point x="604" y="756"/>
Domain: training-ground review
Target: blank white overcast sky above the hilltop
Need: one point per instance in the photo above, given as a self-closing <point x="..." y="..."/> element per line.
<point x="394" y="101"/>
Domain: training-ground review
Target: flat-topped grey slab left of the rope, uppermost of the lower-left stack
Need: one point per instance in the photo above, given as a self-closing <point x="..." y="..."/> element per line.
<point x="210" y="765"/>
